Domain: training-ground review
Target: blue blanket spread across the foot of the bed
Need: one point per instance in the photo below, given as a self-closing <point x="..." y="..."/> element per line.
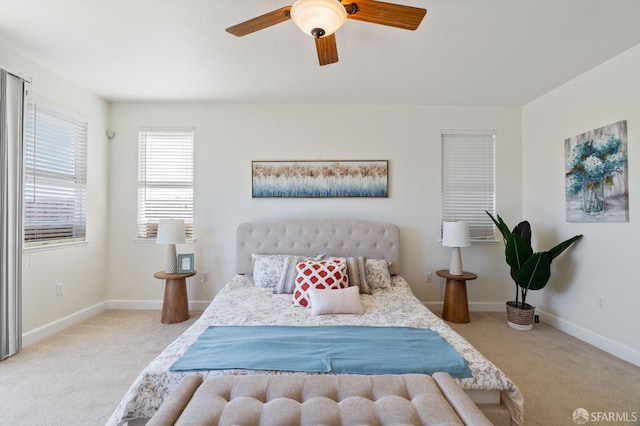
<point x="323" y="349"/>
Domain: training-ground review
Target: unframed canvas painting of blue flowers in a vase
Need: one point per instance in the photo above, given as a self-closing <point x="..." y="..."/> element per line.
<point x="596" y="175"/>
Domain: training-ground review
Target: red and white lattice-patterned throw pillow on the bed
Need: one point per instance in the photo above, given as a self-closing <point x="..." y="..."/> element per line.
<point x="323" y="274"/>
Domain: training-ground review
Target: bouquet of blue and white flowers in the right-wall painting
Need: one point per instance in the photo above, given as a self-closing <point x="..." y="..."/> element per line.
<point x="595" y="161"/>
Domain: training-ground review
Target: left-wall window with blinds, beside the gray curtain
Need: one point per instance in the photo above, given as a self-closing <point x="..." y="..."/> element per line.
<point x="55" y="176"/>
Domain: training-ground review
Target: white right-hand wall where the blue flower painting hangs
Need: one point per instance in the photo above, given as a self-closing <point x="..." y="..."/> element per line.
<point x="602" y="264"/>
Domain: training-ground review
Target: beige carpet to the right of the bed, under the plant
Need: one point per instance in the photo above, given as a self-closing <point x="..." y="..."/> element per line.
<point x="557" y="373"/>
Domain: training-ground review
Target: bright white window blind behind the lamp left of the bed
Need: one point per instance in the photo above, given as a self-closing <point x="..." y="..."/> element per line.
<point x="165" y="179"/>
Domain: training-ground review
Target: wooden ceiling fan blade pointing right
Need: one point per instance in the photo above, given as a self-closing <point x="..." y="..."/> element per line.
<point x="394" y="15"/>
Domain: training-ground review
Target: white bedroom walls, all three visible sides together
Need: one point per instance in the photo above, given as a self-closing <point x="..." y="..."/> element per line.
<point x="530" y="167"/>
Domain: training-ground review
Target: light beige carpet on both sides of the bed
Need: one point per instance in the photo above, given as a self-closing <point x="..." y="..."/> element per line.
<point x="77" y="377"/>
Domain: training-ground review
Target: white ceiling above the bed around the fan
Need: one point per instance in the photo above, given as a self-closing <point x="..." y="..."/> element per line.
<point x="465" y="52"/>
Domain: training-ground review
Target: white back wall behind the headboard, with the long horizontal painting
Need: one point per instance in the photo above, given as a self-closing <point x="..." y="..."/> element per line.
<point x="228" y="137"/>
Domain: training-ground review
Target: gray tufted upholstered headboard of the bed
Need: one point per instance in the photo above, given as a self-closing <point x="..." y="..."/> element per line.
<point x="308" y="237"/>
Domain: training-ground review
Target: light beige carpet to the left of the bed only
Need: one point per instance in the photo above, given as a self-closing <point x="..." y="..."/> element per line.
<point x="78" y="376"/>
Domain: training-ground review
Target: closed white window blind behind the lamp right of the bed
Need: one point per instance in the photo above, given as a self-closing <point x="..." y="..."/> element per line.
<point x="468" y="180"/>
